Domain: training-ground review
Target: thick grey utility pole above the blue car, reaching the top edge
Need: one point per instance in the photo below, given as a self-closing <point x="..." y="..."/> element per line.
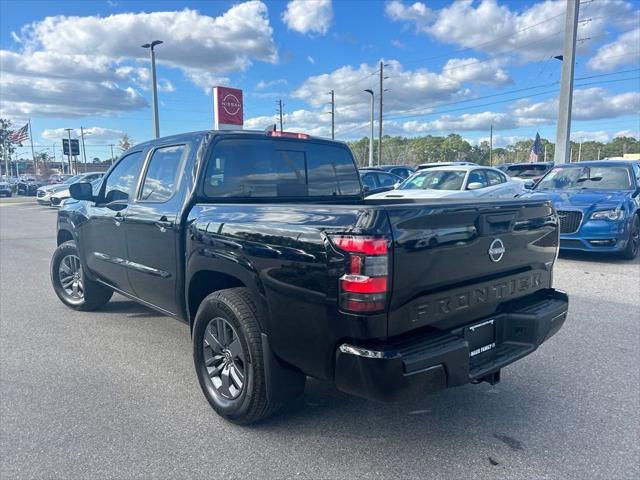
<point x="563" y="131"/>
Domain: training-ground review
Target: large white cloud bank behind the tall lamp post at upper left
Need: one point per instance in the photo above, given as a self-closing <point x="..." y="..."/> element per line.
<point x="78" y="66"/>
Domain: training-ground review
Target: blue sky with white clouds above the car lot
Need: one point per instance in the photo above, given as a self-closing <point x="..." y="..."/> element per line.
<point x="449" y="67"/>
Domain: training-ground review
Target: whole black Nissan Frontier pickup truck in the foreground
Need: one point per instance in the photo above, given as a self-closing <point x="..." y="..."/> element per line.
<point x="264" y="244"/>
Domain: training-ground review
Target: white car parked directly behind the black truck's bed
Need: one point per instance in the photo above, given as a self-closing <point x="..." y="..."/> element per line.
<point x="457" y="182"/>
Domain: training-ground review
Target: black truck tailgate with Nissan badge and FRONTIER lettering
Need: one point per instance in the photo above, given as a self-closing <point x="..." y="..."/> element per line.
<point x="456" y="262"/>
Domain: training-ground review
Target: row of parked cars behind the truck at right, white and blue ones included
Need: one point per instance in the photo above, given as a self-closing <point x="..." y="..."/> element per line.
<point x="598" y="202"/>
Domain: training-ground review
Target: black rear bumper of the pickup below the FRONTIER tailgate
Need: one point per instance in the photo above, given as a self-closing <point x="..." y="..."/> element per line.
<point x="437" y="361"/>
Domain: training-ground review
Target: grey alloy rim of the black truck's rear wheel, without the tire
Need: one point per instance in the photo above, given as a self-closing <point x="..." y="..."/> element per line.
<point x="224" y="358"/>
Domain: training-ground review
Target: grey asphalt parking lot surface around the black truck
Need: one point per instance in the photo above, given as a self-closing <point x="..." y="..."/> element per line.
<point x="112" y="394"/>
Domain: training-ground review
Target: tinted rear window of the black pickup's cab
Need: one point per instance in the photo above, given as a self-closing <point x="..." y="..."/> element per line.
<point x="279" y="168"/>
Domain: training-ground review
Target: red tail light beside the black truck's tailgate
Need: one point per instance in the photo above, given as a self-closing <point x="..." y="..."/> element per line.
<point x="364" y="286"/>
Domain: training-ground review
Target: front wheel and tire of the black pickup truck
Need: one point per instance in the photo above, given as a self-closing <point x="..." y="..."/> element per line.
<point x="77" y="291"/>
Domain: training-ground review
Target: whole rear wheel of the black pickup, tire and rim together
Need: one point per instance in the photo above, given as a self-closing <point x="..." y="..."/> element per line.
<point x="232" y="311"/>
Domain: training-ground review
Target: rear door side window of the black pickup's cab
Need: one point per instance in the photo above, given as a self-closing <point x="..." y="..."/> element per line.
<point x="161" y="177"/>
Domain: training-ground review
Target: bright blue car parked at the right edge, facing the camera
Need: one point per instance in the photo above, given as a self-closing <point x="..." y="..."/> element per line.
<point x="598" y="203"/>
